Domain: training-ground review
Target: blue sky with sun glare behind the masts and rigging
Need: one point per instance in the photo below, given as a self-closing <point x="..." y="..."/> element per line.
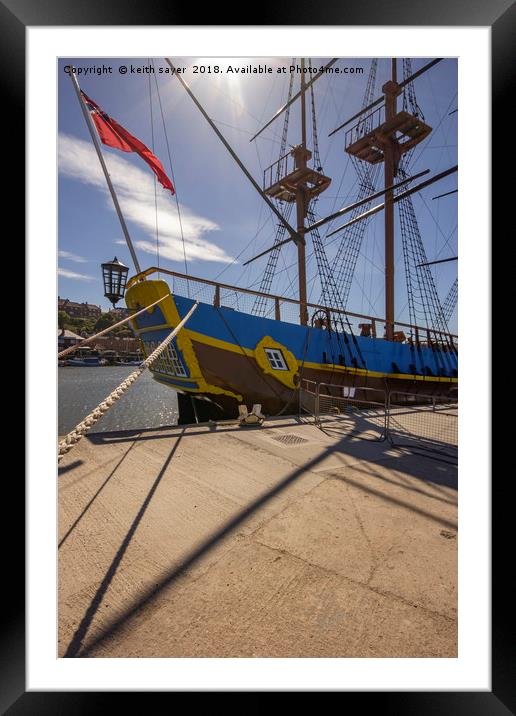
<point x="222" y="215"/>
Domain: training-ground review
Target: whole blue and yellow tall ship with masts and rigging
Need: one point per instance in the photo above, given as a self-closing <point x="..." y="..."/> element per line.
<point x="247" y="346"/>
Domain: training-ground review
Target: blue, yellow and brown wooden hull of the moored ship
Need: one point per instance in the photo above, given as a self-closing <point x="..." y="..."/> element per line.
<point x="231" y="357"/>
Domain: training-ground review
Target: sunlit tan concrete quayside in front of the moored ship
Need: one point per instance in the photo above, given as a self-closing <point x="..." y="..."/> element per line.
<point x="277" y="541"/>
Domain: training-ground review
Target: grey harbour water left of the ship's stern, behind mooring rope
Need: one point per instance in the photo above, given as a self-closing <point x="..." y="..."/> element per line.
<point x="147" y="403"/>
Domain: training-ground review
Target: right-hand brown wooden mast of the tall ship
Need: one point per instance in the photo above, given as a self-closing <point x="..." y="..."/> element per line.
<point x="391" y="90"/>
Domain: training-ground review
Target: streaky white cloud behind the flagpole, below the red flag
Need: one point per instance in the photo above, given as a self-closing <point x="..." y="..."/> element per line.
<point x="135" y="191"/>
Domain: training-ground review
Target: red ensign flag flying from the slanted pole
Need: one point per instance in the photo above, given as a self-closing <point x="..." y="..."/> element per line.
<point x="114" y="135"/>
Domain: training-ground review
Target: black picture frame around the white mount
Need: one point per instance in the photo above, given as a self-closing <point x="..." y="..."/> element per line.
<point x="15" y="16"/>
